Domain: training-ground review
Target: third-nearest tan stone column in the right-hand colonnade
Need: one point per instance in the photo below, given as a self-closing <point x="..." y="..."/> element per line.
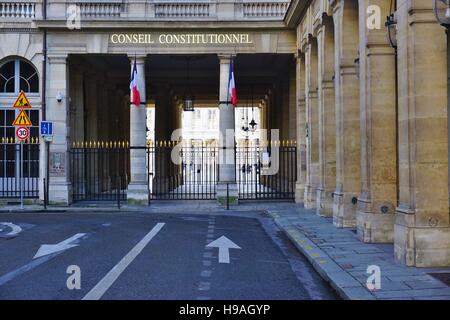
<point x="345" y="17"/>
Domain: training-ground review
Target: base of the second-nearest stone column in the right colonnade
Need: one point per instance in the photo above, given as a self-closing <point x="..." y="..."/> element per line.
<point x="375" y="223"/>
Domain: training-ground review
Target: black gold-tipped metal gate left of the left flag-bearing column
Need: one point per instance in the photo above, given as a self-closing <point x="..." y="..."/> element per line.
<point x="100" y="171"/>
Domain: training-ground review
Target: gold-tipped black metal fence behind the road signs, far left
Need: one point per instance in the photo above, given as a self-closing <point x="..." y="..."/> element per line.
<point x="17" y="173"/>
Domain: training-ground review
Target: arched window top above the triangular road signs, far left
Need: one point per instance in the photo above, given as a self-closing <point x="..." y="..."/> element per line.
<point x="17" y="75"/>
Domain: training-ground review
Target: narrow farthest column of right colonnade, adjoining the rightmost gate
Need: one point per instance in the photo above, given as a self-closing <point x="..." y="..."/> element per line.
<point x="301" y="127"/>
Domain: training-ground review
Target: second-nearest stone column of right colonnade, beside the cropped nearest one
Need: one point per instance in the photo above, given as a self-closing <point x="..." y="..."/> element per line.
<point x="378" y="198"/>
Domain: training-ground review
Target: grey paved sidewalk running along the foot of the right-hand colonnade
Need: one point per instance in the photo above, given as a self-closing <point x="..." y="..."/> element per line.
<point x="342" y="259"/>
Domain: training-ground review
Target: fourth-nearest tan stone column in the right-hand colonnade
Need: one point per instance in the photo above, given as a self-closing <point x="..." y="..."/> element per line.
<point x="327" y="119"/>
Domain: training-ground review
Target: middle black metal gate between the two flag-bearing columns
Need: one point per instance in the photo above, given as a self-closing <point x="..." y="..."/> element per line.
<point x="182" y="172"/>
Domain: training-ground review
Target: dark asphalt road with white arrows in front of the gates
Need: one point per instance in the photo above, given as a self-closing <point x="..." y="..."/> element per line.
<point x="152" y="256"/>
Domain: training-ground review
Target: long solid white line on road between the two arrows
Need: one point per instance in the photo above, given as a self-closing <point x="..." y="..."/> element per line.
<point x="99" y="290"/>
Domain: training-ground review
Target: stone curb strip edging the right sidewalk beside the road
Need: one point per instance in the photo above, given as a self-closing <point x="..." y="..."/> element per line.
<point x="345" y="285"/>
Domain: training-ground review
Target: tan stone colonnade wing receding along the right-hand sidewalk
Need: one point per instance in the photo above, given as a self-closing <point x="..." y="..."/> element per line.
<point x="379" y="113"/>
